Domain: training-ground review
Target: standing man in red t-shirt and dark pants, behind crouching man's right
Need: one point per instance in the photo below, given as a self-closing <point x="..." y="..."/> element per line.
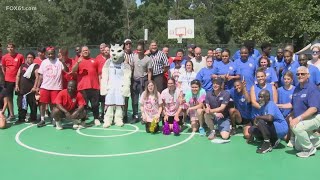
<point x="86" y="69"/>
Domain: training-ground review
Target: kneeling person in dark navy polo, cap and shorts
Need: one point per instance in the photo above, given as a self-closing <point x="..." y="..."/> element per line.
<point x="216" y="112"/>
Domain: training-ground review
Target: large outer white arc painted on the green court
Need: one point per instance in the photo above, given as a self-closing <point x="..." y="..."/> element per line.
<point x="17" y="138"/>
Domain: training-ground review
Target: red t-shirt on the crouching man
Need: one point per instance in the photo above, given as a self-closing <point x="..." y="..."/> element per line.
<point x="68" y="102"/>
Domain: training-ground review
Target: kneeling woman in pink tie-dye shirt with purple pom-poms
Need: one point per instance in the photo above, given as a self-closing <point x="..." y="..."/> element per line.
<point x="172" y="100"/>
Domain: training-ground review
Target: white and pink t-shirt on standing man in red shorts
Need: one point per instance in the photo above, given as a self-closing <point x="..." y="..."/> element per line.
<point x="52" y="74"/>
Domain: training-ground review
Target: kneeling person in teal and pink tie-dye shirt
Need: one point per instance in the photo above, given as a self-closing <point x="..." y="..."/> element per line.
<point x="194" y="105"/>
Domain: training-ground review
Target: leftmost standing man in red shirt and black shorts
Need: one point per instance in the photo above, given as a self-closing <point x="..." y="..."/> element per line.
<point x="11" y="63"/>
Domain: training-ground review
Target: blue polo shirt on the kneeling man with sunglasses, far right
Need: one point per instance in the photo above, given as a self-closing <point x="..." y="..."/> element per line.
<point x="304" y="98"/>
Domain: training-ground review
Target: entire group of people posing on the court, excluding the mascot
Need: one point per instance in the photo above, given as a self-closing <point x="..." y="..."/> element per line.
<point x="273" y="98"/>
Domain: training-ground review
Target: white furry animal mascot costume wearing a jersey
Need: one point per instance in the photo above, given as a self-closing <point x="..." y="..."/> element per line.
<point x="115" y="85"/>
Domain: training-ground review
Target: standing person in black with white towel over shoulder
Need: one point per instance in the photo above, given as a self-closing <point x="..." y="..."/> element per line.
<point x="26" y="83"/>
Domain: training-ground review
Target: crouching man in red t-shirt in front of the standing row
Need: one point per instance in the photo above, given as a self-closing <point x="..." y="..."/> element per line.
<point x="70" y="105"/>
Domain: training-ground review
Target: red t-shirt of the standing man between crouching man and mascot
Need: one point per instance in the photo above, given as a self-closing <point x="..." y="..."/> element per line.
<point x="88" y="74"/>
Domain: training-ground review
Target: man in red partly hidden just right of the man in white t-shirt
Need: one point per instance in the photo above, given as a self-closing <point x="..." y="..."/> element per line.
<point x="63" y="54"/>
